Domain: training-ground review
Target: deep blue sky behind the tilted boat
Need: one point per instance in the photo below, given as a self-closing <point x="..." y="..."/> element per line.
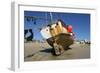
<point x="79" y="21"/>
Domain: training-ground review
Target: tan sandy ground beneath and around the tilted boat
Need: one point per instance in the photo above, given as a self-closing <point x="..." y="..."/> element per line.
<point x="35" y="51"/>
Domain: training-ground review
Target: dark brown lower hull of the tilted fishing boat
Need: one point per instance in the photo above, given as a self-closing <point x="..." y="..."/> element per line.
<point x="65" y="40"/>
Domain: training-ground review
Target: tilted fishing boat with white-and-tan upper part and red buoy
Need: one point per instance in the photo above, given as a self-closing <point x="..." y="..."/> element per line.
<point x="59" y="36"/>
